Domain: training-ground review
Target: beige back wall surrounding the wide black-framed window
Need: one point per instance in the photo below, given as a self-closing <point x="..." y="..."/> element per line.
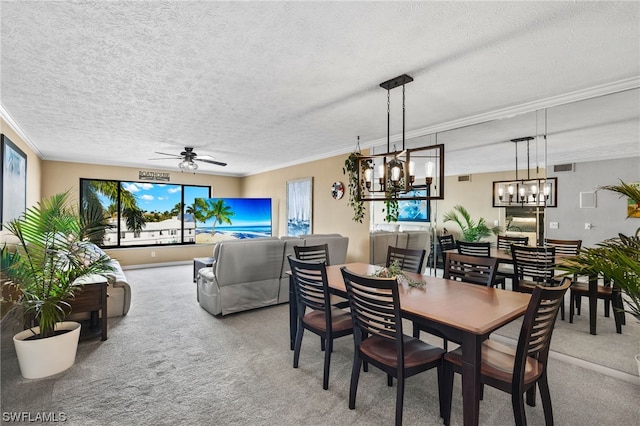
<point x="61" y="176"/>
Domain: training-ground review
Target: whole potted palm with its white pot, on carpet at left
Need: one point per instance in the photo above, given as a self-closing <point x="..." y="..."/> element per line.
<point x="50" y="257"/>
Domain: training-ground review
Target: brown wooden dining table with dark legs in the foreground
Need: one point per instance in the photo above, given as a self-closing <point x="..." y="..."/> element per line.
<point x="462" y="312"/>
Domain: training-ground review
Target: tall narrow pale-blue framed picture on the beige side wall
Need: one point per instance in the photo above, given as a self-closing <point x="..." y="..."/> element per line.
<point x="299" y="206"/>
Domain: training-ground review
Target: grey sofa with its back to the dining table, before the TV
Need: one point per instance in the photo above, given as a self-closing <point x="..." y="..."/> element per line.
<point x="252" y="273"/>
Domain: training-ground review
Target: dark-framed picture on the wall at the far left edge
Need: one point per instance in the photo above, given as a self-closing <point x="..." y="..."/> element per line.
<point x="14" y="181"/>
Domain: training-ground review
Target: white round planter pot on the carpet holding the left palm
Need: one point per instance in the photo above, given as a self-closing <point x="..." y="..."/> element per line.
<point x="46" y="357"/>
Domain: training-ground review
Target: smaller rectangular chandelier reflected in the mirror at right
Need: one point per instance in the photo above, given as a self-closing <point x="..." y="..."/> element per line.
<point x="541" y="192"/>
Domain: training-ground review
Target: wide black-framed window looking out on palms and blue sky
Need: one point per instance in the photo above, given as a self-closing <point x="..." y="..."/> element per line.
<point x="137" y="211"/>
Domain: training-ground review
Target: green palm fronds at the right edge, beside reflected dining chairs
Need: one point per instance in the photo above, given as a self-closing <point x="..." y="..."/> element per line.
<point x="616" y="259"/>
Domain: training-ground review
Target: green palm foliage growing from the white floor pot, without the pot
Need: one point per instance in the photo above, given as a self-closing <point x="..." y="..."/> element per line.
<point x="49" y="259"/>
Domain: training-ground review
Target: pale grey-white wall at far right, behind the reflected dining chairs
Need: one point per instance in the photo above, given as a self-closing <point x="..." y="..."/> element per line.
<point x="609" y="217"/>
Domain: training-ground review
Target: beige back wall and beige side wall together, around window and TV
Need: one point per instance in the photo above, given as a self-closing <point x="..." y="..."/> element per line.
<point x="329" y="215"/>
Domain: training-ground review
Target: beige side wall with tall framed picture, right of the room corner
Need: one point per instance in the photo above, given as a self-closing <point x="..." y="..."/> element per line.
<point x="329" y="215"/>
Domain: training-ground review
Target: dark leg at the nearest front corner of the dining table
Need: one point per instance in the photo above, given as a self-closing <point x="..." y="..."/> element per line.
<point x="471" y="358"/>
